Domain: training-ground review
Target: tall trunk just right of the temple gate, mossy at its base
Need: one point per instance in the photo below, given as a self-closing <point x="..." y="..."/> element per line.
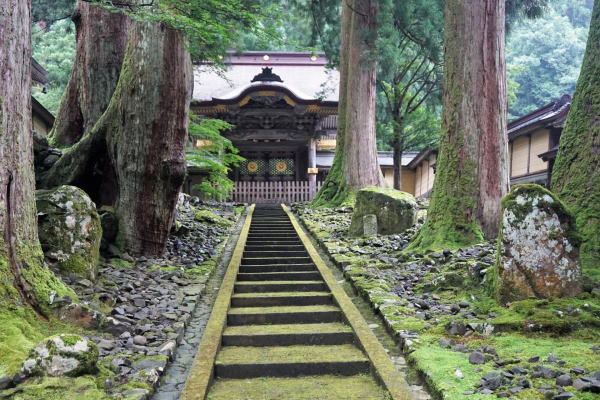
<point x="355" y="164"/>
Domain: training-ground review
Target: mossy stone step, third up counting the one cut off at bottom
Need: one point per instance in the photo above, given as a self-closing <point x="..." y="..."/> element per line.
<point x="325" y="334"/>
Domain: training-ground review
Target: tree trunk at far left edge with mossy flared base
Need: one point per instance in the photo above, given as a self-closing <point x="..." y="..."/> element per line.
<point x="23" y="276"/>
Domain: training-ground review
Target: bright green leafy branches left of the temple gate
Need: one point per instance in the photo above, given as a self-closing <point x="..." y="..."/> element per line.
<point x="217" y="155"/>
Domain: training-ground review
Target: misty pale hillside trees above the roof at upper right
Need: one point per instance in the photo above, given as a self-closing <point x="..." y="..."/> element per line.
<point x="544" y="55"/>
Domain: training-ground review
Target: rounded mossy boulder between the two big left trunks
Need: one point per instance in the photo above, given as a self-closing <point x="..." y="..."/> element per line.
<point x="69" y="229"/>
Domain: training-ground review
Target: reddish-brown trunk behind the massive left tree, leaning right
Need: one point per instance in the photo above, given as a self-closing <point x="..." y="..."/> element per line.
<point x="101" y="39"/>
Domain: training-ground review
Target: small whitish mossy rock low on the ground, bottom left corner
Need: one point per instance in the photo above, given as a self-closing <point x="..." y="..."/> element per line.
<point x="62" y="355"/>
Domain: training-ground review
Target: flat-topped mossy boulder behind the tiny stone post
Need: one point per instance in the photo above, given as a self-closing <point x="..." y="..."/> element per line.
<point x="396" y="211"/>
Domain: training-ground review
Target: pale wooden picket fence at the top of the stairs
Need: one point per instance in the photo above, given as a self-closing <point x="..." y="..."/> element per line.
<point x="274" y="192"/>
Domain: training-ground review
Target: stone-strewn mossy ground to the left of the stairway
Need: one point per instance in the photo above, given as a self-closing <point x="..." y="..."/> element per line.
<point x="143" y="306"/>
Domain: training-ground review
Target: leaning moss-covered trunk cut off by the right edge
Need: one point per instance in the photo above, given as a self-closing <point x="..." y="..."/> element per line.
<point x="576" y="173"/>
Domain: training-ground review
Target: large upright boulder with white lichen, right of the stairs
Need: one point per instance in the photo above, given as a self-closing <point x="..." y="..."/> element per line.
<point x="538" y="244"/>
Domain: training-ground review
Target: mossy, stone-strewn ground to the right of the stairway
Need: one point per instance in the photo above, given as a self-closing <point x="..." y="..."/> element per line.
<point x="459" y="339"/>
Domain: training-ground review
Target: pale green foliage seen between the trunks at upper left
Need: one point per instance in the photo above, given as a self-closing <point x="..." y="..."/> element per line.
<point x="54" y="49"/>
